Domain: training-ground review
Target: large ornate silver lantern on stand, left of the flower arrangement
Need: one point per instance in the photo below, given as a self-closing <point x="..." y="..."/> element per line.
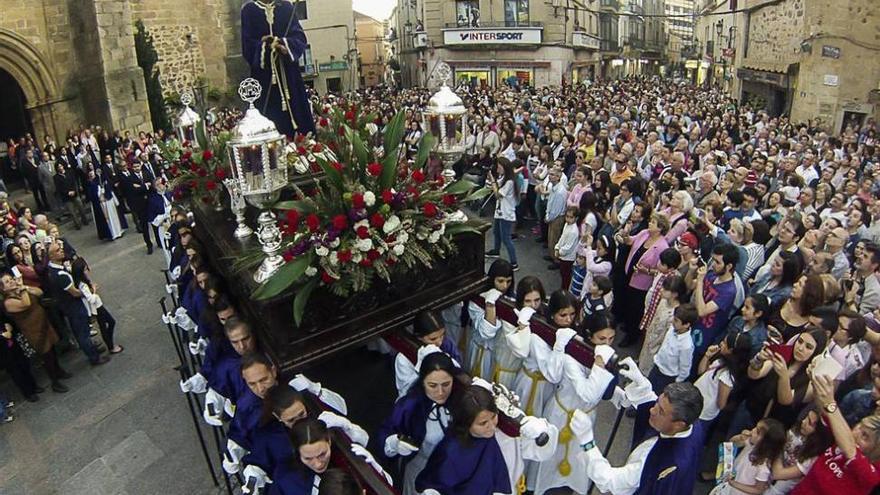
<point x="256" y="161"/>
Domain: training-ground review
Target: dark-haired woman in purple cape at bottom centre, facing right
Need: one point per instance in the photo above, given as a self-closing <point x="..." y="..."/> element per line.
<point x="469" y="460"/>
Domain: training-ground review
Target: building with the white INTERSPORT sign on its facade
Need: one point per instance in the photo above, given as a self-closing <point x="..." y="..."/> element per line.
<point x="492" y="42"/>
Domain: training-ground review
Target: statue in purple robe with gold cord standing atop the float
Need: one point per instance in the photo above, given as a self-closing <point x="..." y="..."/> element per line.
<point x="272" y="42"/>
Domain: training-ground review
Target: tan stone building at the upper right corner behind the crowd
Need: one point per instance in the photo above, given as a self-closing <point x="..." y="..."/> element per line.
<point x="807" y="58"/>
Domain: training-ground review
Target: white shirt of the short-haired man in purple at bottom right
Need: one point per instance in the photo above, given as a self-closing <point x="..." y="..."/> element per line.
<point x="623" y="480"/>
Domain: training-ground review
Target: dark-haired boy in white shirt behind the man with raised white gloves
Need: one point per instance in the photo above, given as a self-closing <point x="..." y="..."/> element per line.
<point x="672" y="363"/>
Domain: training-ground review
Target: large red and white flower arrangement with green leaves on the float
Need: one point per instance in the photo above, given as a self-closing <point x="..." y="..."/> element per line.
<point x="370" y="215"/>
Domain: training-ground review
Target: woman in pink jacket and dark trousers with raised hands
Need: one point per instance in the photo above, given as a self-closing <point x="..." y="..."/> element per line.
<point x="641" y="265"/>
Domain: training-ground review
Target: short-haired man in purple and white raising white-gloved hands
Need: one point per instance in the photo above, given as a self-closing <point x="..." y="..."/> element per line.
<point x="667" y="460"/>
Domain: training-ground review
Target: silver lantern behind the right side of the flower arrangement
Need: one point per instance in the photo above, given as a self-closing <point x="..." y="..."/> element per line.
<point x="446" y="119"/>
